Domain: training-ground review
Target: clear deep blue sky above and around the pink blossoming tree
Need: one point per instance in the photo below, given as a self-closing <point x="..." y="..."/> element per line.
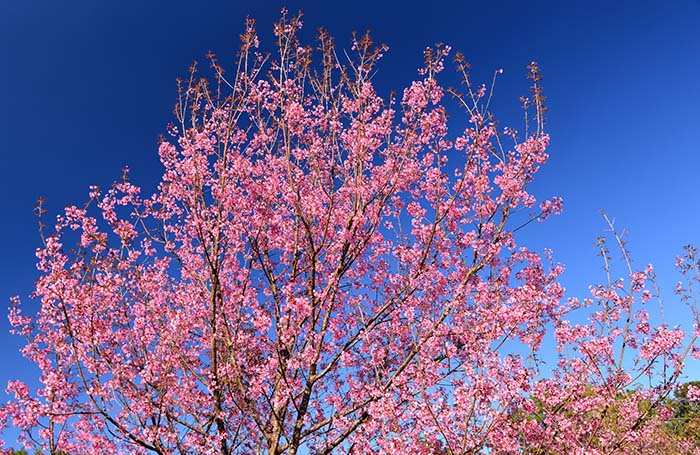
<point x="87" y="87"/>
